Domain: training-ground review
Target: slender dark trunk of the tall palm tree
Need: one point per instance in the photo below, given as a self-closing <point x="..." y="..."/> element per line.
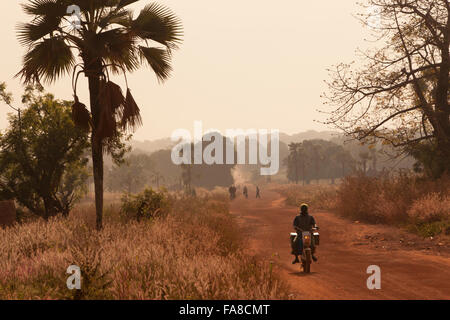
<point x="96" y="144"/>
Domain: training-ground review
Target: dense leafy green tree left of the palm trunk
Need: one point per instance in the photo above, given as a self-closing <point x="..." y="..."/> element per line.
<point x="43" y="155"/>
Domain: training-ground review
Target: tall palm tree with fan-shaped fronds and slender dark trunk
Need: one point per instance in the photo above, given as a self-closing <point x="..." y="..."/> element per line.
<point x="109" y="39"/>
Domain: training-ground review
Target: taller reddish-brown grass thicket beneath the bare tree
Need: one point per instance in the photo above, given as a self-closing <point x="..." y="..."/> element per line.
<point x="403" y="200"/>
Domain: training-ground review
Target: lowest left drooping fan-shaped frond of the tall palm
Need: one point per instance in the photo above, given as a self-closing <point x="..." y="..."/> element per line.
<point x="47" y="60"/>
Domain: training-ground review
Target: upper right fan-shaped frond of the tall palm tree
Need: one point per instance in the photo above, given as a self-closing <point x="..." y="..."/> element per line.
<point x="158" y="23"/>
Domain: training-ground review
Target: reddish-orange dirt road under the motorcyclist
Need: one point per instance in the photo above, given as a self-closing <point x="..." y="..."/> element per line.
<point x="345" y="252"/>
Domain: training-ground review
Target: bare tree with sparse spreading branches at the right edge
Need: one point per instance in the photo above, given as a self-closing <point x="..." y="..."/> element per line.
<point x="400" y="94"/>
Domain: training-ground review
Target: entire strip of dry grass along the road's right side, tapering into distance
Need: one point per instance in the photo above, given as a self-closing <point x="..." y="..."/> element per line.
<point x="419" y="204"/>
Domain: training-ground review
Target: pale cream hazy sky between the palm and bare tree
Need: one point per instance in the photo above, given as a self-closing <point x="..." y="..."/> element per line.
<point x="243" y="64"/>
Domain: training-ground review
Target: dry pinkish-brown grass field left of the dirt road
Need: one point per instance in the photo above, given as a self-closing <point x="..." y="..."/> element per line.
<point x="194" y="253"/>
